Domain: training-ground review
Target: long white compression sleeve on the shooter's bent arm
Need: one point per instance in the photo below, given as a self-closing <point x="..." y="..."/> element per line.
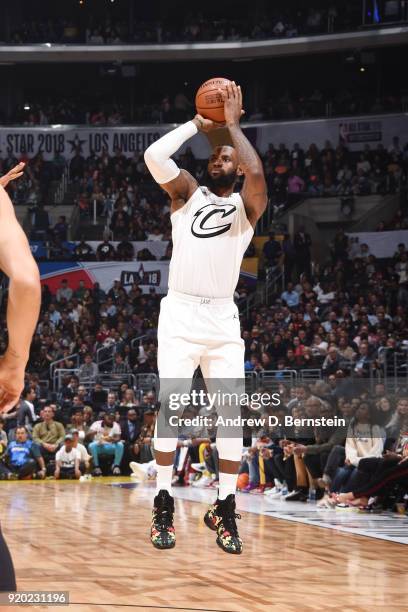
<point x="157" y="156"/>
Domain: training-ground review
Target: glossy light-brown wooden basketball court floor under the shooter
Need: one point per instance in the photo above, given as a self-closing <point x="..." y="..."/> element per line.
<point x="91" y="539"/>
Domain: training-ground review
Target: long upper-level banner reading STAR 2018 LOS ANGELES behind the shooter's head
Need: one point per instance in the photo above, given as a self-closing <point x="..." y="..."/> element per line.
<point x="355" y="132"/>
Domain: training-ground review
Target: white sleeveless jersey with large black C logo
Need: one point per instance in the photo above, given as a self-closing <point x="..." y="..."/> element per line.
<point x="210" y="236"/>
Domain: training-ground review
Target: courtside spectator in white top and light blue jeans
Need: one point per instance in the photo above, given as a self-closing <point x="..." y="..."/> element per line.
<point x="107" y="441"/>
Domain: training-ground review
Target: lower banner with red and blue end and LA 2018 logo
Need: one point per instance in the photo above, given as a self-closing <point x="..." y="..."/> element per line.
<point x="147" y="274"/>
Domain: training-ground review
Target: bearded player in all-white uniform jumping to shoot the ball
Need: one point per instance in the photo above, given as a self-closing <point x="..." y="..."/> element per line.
<point x="199" y="324"/>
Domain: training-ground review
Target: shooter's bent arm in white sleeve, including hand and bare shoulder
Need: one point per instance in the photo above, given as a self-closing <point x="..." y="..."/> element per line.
<point x="179" y="184"/>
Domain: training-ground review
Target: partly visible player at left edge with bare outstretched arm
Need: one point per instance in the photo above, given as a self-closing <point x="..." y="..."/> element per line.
<point x="23" y="308"/>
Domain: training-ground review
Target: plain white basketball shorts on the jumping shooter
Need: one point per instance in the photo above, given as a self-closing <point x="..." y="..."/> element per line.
<point x="195" y="331"/>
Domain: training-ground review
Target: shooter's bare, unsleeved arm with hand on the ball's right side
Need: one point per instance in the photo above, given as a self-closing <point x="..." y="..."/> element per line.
<point x="254" y="192"/>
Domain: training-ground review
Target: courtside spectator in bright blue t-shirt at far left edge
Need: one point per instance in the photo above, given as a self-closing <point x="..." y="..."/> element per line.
<point x="23" y="458"/>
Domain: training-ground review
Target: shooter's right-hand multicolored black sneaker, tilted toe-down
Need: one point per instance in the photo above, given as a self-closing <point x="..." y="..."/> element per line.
<point x="221" y="517"/>
